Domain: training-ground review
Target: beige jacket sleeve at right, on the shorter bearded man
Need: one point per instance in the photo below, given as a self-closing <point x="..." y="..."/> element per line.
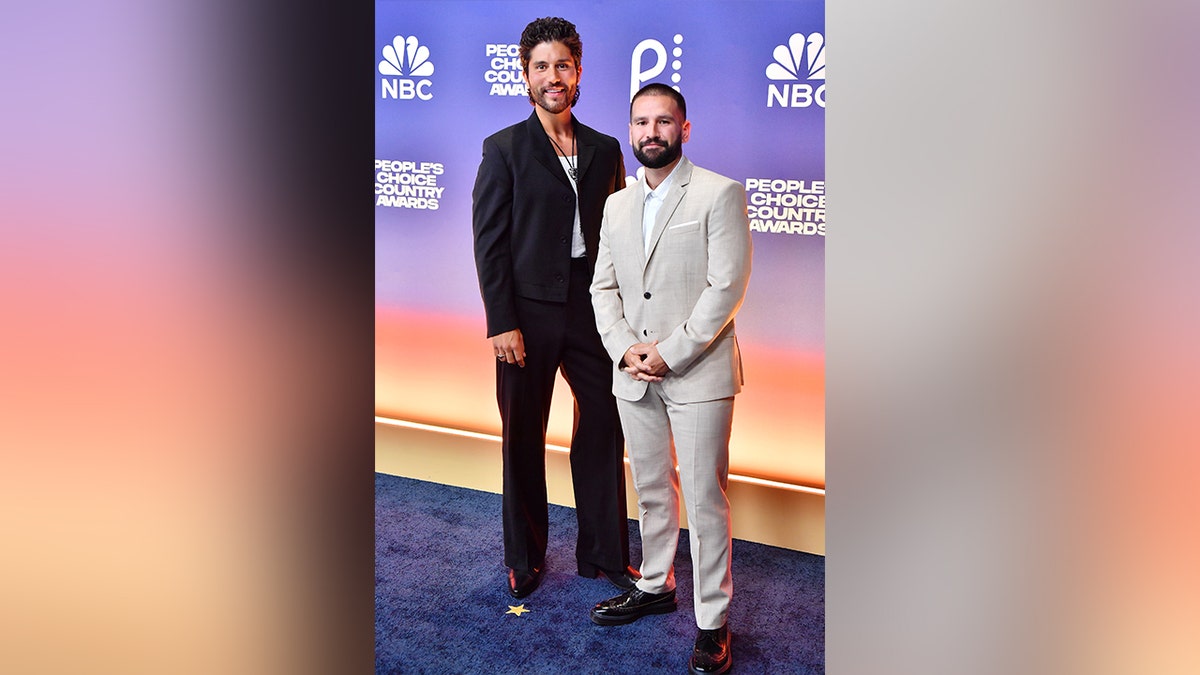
<point x="729" y="274"/>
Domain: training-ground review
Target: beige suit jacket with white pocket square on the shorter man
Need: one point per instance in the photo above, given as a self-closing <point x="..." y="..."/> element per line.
<point x="686" y="292"/>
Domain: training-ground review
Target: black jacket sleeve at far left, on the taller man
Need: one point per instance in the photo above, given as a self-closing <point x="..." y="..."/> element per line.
<point x="493" y="228"/>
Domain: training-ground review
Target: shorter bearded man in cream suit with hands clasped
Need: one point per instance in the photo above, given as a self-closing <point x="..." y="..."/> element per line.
<point x="671" y="274"/>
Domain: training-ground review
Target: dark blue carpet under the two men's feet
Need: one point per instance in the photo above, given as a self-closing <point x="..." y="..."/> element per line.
<point x="442" y="604"/>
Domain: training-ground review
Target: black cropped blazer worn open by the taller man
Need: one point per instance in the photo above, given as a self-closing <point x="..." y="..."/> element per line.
<point x="524" y="211"/>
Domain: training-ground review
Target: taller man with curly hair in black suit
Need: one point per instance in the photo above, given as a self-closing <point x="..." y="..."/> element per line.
<point x="537" y="208"/>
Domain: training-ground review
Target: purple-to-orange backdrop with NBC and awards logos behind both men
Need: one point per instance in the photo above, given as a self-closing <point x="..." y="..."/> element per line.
<point x="448" y="75"/>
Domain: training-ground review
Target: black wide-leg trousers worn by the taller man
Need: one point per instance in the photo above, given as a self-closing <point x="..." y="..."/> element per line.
<point x="563" y="336"/>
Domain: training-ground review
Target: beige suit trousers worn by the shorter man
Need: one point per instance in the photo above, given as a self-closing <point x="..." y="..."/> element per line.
<point x="701" y="446"/>
